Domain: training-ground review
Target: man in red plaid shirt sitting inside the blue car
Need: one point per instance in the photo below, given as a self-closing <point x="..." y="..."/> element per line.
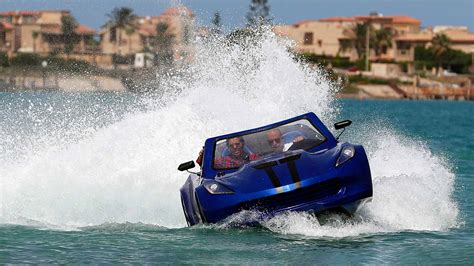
<point x="237" y="156"/>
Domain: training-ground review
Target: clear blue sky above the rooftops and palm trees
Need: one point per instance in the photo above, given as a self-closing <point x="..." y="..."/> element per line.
<point x="431" y="12"/>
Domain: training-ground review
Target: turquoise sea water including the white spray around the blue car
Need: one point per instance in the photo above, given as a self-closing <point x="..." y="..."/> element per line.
<point x="91" y="177"/>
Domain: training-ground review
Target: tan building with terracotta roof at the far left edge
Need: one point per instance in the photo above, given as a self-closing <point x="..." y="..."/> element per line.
<point x="39" y="32"/>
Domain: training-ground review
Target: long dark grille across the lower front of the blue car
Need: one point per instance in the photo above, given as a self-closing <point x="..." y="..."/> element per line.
<point x="295" y="197"/>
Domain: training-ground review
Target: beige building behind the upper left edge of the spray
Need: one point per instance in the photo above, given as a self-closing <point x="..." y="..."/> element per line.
<point x="141" y="36"/>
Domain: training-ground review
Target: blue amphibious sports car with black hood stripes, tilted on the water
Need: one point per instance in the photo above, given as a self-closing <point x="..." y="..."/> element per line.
<point x="292" y="165"/>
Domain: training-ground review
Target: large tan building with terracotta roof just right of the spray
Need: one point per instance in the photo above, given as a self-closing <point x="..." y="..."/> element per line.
<point x="335" y="36"/>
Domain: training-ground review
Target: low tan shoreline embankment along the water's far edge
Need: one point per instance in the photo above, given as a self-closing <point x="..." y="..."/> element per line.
<point x="37" y="79"/>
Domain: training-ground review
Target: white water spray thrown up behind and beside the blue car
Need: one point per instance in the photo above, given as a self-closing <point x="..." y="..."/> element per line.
<point x="126" y="172"/>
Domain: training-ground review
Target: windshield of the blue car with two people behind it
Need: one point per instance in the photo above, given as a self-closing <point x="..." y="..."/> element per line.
<point x="233" y="152"/>
